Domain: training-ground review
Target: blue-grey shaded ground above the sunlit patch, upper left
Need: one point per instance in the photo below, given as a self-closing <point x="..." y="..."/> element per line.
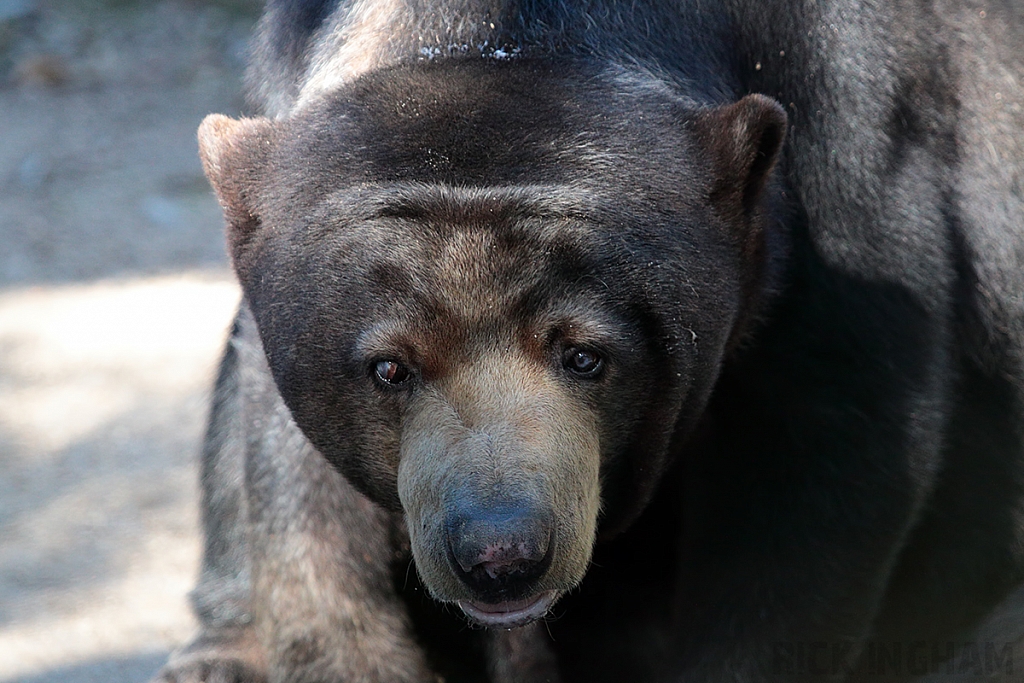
<point x="100" y="174"/>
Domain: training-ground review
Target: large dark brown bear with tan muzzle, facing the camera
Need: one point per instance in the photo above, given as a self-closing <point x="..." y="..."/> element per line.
<point x="603" y="341"/>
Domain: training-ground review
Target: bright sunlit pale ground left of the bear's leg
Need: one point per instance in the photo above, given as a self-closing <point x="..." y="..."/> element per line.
<point x="103" y="395"/>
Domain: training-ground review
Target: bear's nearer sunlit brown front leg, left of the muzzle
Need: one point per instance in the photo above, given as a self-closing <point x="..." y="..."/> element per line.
<point x="324" y="600"/>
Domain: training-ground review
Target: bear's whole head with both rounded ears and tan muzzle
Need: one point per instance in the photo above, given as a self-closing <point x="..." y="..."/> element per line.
<point x="494" y="296"/>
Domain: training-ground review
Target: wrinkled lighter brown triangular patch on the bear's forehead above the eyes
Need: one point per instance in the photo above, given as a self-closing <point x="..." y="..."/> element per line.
<point x="475" y="252"/>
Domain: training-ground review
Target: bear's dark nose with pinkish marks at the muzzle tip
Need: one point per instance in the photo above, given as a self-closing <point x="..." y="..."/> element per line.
<point x="499" y="550"/>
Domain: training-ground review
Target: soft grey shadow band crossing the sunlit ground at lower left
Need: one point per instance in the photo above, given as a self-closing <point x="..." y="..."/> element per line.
<point x="74" y="521"/>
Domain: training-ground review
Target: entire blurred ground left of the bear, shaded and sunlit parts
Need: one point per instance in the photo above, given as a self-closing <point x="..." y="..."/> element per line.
<point x="115" y="300"/>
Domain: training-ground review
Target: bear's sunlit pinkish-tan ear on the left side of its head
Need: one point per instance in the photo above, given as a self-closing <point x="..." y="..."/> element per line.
<point x="234" y="155"/>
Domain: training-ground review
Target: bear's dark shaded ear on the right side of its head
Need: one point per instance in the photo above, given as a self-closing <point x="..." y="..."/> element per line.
<point x="744" y="141"/>
